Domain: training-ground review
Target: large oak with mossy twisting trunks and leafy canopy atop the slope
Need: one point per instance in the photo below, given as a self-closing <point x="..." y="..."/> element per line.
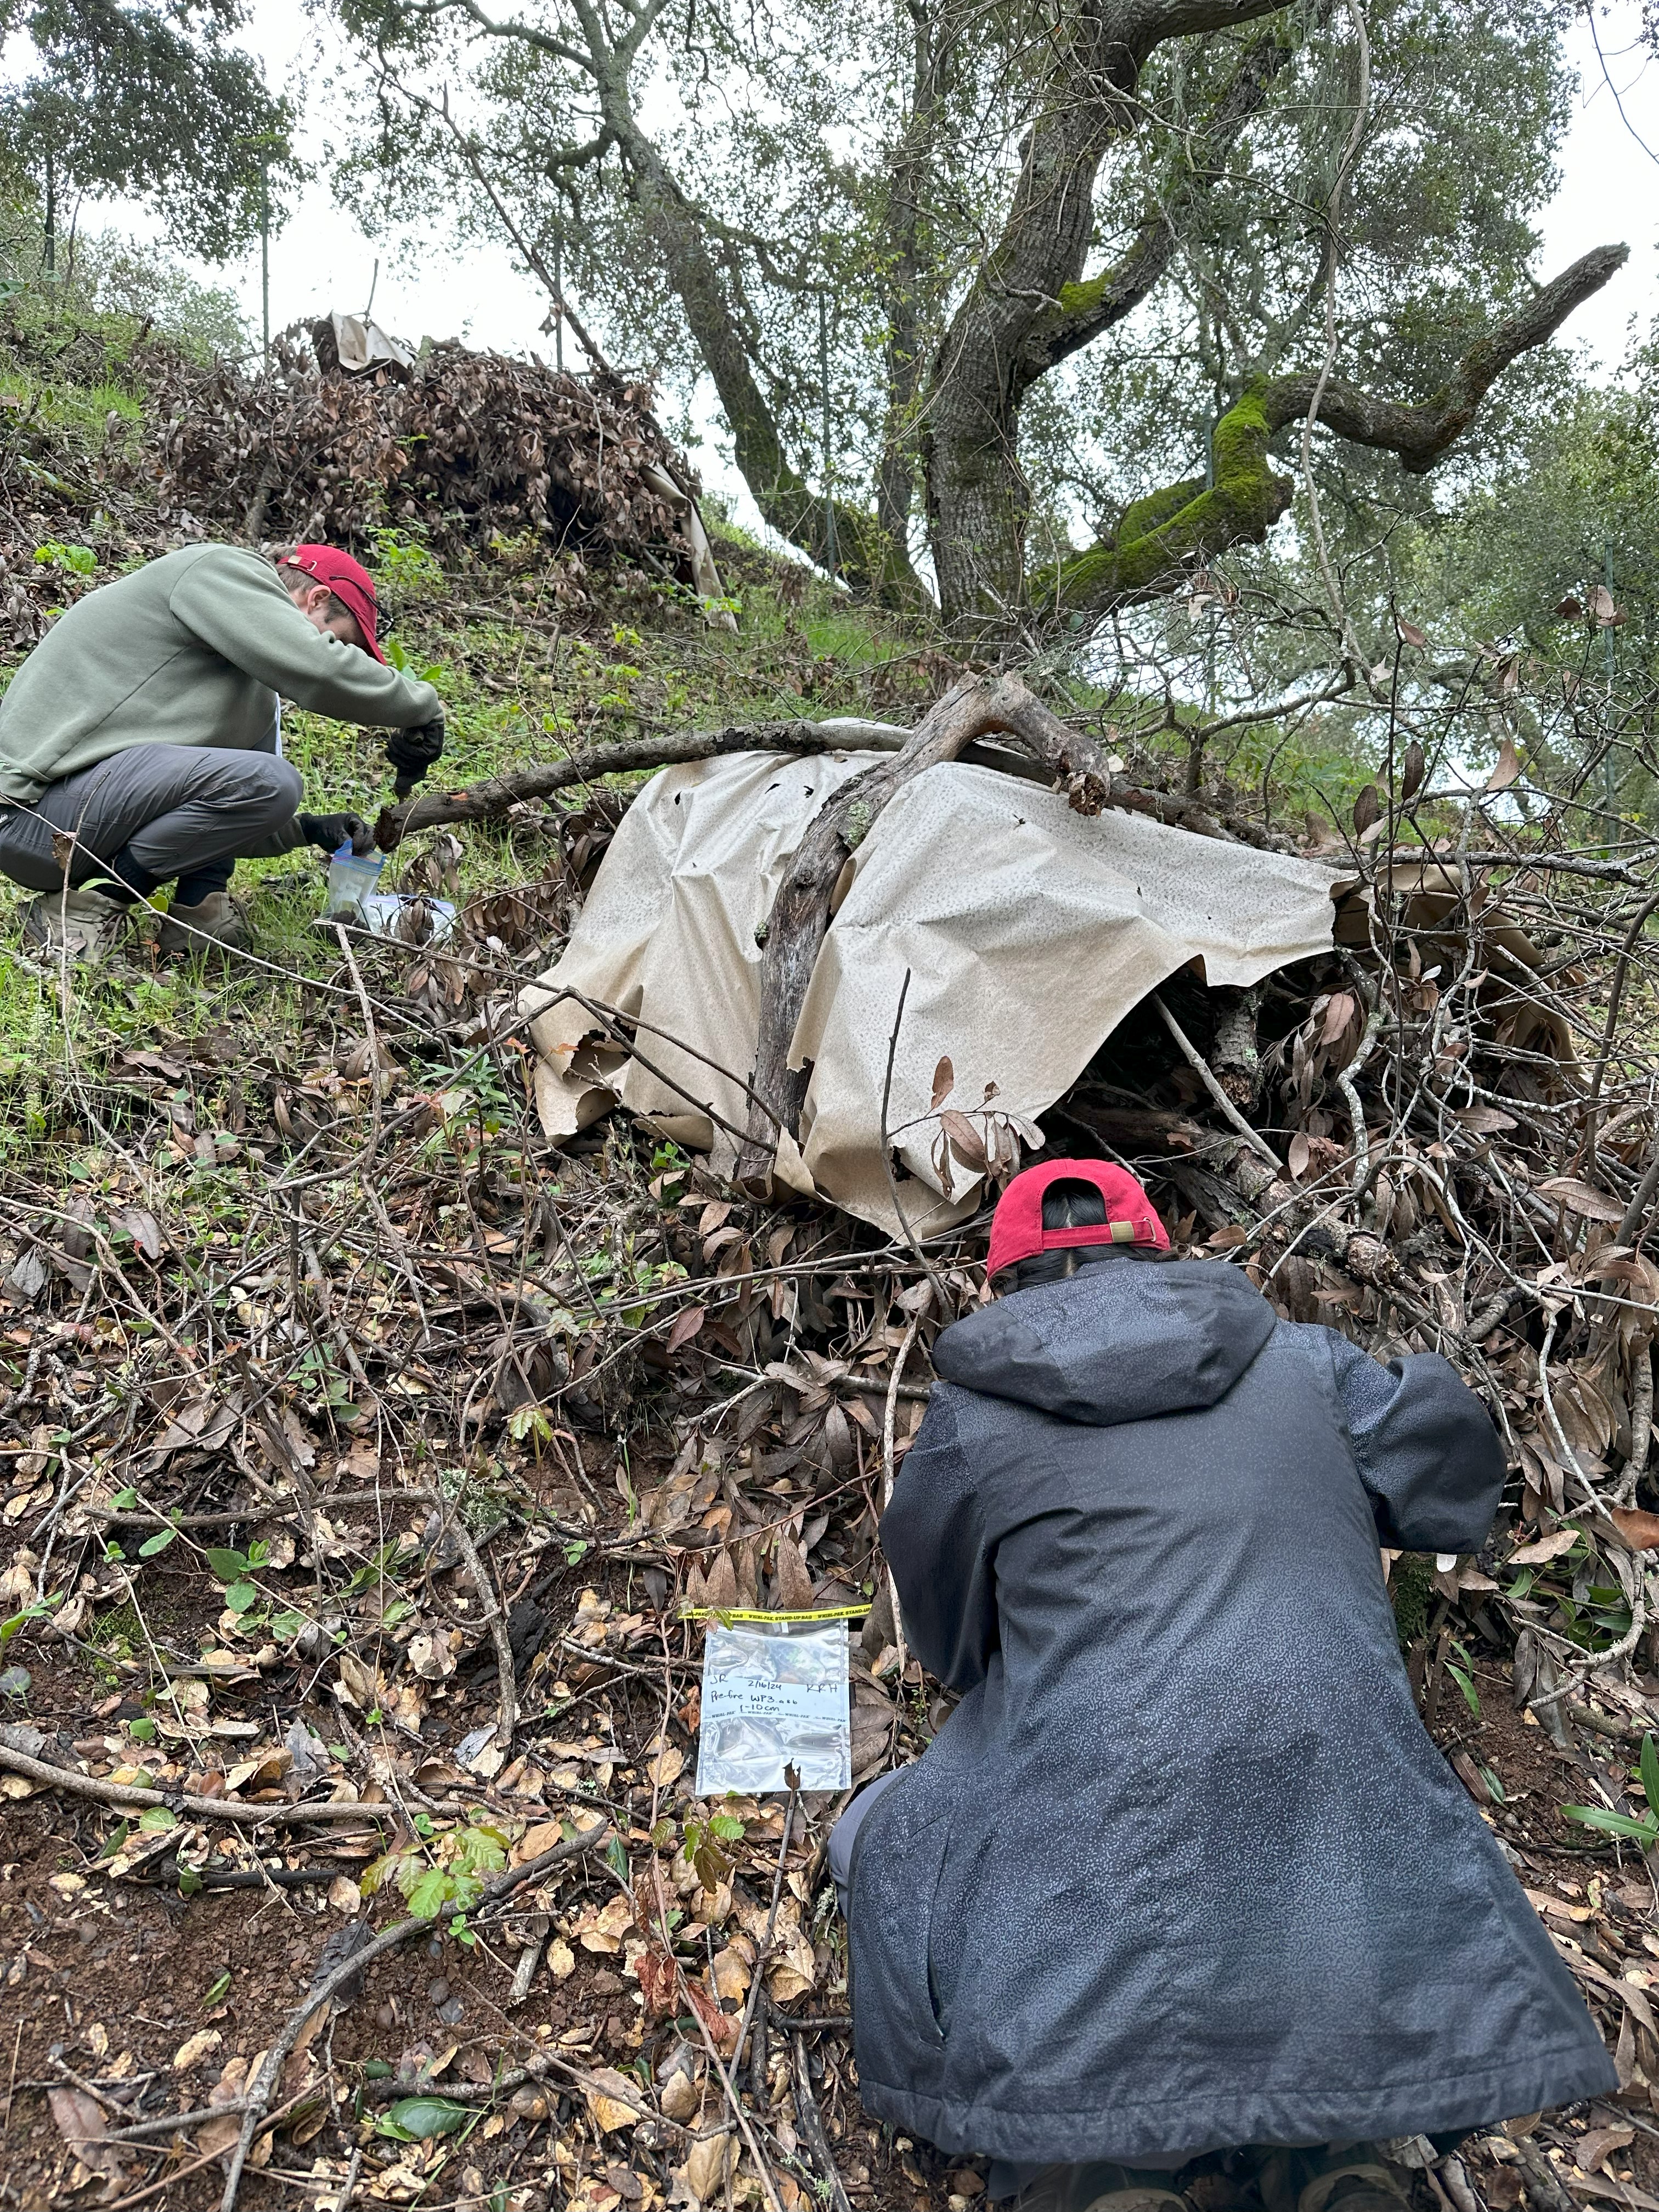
<point x="1087" y="267"/>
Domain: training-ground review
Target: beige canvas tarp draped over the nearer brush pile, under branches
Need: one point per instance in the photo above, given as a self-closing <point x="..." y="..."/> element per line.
<point x="1030" y="932"/>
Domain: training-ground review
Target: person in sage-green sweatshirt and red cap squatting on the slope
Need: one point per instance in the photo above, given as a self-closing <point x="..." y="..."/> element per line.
<point x="140" y="742"/>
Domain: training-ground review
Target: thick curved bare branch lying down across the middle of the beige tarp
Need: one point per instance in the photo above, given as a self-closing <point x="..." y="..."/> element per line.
<point x="972" y="707"/>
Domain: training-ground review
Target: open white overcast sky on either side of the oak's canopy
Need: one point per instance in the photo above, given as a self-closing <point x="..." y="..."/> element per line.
<point x="322" y="260"/>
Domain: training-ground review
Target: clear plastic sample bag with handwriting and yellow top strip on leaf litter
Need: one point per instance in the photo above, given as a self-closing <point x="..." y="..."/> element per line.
<point x="775" y="1695"/>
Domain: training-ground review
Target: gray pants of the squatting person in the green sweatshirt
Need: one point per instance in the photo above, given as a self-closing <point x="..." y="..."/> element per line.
<point x="156" y="813"/>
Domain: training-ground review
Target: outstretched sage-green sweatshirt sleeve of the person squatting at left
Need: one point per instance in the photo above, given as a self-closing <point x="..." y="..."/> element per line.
<point x="238" y="607"/>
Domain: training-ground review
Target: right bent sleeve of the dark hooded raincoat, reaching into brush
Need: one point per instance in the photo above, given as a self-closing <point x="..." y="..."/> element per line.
<point x="1423" y="1443"/>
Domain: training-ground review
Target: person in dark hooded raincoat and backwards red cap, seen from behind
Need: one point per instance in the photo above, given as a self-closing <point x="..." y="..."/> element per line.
<point x="1185" y="1872"/>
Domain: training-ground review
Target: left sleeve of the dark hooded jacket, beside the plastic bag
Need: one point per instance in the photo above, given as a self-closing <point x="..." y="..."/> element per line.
<point x="935" y="1543"/>
